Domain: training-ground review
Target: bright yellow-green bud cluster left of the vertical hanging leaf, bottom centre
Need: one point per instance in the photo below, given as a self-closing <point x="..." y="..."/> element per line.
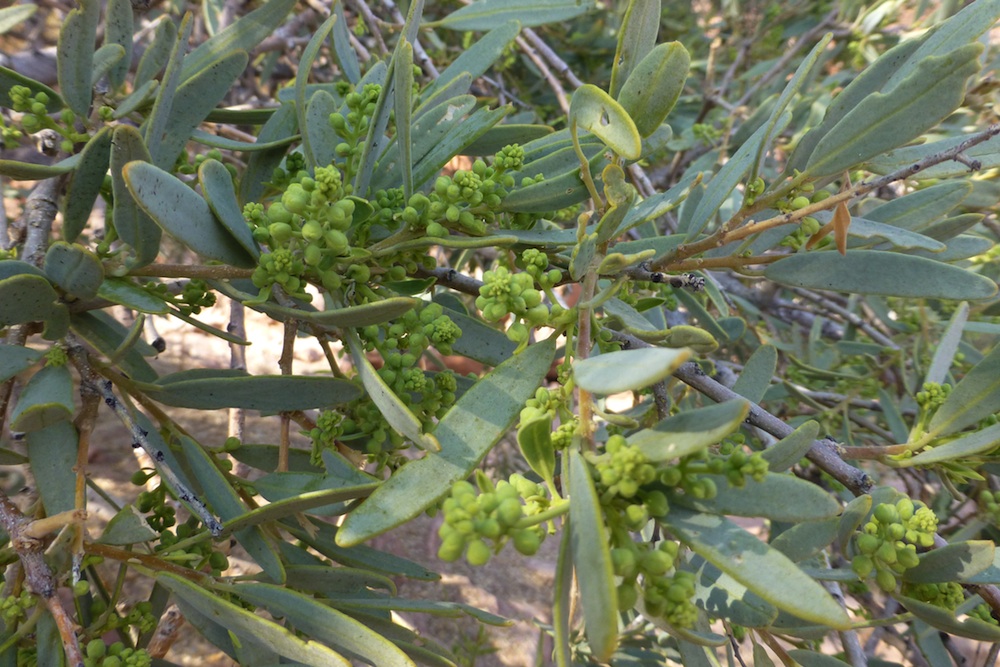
<point x="478" y="522"/>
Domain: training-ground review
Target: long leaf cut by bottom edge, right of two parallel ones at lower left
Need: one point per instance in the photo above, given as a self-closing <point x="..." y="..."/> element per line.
<point x="325" y="624"/>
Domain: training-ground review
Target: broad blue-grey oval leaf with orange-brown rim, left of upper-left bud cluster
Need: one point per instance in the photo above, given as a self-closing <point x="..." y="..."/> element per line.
<point x="183" y="214"/>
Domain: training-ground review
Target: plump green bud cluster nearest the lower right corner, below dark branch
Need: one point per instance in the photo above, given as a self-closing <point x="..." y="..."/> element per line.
<point x="887" y="543"/>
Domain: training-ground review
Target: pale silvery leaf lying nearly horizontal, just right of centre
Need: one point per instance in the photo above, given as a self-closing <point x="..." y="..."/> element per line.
<point x="627" y="370"/>
